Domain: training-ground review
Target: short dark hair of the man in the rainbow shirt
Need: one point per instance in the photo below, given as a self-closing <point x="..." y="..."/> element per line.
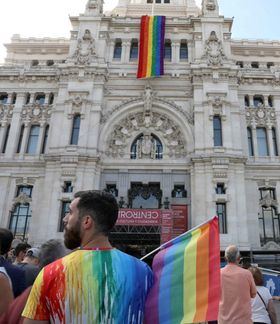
<point x="101" y="206"/>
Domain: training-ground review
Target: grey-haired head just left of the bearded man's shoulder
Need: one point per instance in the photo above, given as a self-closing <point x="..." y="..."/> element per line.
<point x="51" y="251"/>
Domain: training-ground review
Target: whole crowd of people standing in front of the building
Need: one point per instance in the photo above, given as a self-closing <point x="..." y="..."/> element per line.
<point x="86" y="280"/>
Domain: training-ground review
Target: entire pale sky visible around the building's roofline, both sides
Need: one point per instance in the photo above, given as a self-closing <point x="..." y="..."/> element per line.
<point x="254" y="19"/>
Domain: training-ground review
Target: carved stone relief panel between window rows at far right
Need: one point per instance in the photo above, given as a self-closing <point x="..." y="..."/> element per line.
<point x="260" y="116"/>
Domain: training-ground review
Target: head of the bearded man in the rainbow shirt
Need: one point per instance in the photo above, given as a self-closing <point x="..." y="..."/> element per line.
<point x="92" y="215"/>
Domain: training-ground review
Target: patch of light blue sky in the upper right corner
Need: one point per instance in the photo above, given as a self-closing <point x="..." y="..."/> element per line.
<point x="254" y="19"/>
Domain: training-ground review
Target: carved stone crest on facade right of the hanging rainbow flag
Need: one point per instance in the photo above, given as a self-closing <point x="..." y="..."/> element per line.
<point x="214" y="52"/>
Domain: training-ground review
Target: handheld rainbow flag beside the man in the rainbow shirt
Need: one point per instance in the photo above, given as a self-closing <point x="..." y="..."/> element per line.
<point x="187" y="279"/>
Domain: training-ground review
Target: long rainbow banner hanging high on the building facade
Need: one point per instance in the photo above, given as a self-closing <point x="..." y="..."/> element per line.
<point x="151" y="52"/>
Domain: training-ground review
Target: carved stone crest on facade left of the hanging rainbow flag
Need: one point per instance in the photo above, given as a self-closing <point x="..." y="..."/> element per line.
<point x="85" y="52"/>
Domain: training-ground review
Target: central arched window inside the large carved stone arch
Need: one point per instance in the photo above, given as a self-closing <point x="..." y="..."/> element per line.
<point x="146" y="146"/>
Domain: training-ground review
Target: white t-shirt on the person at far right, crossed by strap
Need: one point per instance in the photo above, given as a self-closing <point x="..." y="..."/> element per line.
<point x="259" y="312"/>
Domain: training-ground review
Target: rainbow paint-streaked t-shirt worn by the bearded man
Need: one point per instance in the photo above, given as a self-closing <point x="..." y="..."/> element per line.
<point x="91" y="286"/>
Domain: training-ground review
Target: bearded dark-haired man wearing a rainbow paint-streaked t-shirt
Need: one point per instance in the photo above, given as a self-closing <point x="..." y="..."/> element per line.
<point x="96" y="283"/>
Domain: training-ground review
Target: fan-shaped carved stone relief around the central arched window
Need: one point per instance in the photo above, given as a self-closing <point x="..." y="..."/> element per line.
<point x="160" y="124"/>
